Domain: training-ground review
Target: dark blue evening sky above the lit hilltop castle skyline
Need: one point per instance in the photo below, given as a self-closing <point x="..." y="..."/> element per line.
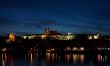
<point x="76" y="16"/>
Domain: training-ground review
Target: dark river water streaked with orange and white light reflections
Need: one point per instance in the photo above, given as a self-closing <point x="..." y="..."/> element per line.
<point x="48" y="59"/>
